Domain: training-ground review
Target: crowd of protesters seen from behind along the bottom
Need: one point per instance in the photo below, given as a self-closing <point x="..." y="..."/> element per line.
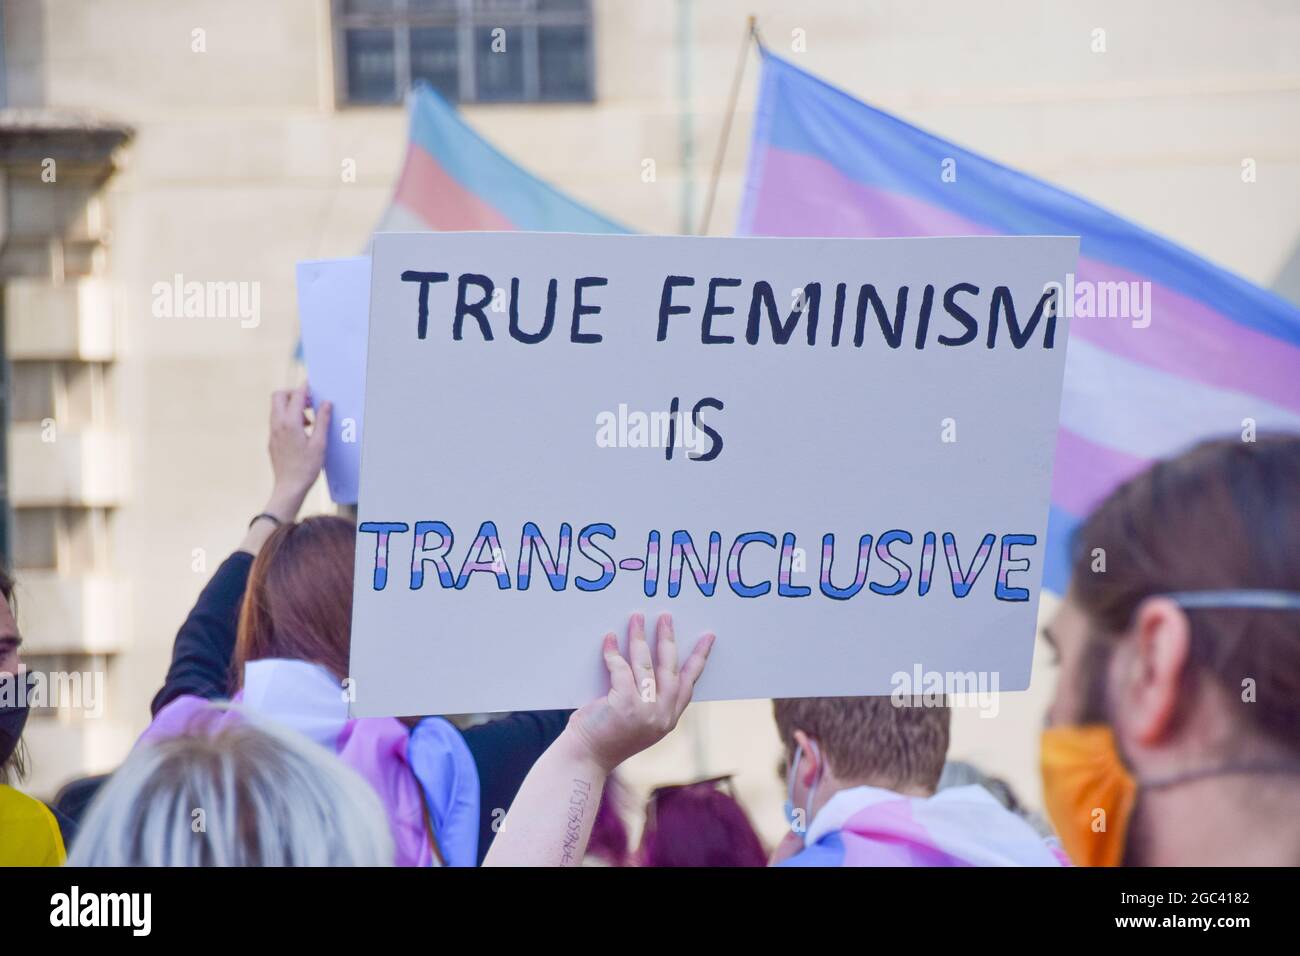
<point x="1173" y="737"/>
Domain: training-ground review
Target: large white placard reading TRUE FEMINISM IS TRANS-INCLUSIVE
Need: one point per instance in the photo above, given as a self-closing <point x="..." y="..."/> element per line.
<point x="835" y="455"/>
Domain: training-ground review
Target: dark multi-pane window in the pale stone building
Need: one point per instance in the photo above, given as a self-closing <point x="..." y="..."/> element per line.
<point x="470" y="51"/>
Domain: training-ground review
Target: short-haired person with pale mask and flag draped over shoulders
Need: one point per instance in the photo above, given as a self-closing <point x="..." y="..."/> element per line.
<point x="863" y="776"/>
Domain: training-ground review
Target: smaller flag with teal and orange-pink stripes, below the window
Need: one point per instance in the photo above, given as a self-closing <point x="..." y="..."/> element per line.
<point x="456" y="180"/>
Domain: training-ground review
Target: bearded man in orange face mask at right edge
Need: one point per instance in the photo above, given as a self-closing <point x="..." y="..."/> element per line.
<point x="1175" y="737"/>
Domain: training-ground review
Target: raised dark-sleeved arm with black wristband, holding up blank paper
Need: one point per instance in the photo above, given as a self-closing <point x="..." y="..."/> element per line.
<point x="206" y="643"/>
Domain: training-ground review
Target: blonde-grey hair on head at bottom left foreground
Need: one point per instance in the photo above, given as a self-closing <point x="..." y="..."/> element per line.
<point x="246" y="794"/>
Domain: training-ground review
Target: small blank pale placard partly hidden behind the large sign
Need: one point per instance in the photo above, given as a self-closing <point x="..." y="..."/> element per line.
<point x="333" y="309"/>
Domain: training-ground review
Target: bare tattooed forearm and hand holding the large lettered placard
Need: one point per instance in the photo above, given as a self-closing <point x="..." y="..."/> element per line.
<point x="551" y="820"/>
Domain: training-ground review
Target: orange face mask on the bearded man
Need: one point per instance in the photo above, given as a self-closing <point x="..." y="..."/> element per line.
<point x="1089" y="793"/>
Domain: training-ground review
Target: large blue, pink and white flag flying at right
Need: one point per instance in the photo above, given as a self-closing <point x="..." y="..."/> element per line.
<point x="1217" y="349"/>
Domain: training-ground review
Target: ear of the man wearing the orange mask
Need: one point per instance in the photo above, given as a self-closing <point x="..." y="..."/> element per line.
<point x="1152" y="668"/>
